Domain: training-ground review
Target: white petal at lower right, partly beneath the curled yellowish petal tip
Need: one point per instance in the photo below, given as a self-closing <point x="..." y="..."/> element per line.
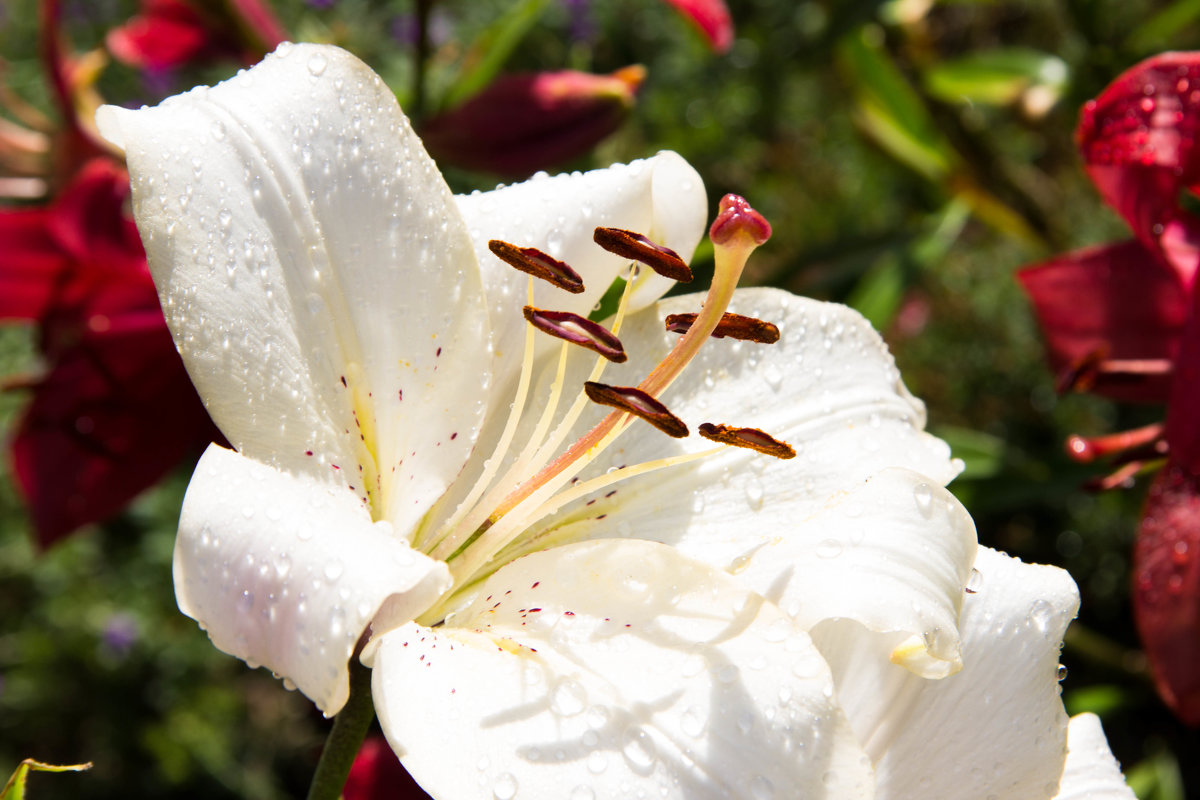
<point x="995" y="729"/>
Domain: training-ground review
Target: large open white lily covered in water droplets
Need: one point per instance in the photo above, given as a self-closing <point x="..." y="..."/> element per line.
<point x="627" y="616"/>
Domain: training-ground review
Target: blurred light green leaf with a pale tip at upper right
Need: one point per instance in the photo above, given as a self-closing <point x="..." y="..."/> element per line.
<point x="997" y="77"/>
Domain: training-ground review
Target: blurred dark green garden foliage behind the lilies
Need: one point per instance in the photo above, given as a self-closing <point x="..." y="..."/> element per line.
<point x="911" y="155"/>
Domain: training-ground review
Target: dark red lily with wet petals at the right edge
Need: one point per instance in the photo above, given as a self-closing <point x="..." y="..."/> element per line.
<point x="1124" y="321"/>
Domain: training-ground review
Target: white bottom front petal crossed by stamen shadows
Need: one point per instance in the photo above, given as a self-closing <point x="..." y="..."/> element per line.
<point x="615" y="670"/>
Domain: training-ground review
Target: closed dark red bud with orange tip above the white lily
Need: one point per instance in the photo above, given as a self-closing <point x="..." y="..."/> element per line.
<point x="526" y="123"/>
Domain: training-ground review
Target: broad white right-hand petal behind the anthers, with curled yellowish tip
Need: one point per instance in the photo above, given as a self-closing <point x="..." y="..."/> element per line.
<point x="838" y="532"/>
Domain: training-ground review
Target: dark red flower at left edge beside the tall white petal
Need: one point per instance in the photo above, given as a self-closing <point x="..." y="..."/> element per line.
<point x="115" y="410"/>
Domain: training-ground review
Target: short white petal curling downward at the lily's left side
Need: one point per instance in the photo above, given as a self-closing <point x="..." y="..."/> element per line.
<point x="286" y="573"/>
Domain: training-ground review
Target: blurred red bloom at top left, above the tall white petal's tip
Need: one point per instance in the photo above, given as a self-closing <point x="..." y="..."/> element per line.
<point x="169" y="34"/>
